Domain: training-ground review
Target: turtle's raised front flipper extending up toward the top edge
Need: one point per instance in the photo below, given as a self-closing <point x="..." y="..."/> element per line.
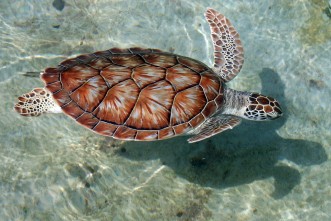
<point x="228" y="51"/>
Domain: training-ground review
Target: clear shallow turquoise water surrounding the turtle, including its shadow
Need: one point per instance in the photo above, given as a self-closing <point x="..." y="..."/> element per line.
<point x="52" y="169"/>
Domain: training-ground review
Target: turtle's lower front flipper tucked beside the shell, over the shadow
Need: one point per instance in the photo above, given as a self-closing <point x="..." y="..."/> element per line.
<point x="213" y="126"/>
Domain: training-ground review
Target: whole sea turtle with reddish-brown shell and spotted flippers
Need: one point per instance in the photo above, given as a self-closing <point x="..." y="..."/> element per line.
<point x="148" y="94"/>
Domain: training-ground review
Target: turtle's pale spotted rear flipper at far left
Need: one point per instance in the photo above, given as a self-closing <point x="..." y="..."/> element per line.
<point x="36" y="102"/>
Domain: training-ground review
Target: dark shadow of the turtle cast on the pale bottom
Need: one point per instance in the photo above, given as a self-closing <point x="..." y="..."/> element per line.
<point x="253" y="151"/>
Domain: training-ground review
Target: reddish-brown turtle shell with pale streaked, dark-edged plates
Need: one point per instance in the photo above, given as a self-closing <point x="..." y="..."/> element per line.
<point x="135" y="94"/>
